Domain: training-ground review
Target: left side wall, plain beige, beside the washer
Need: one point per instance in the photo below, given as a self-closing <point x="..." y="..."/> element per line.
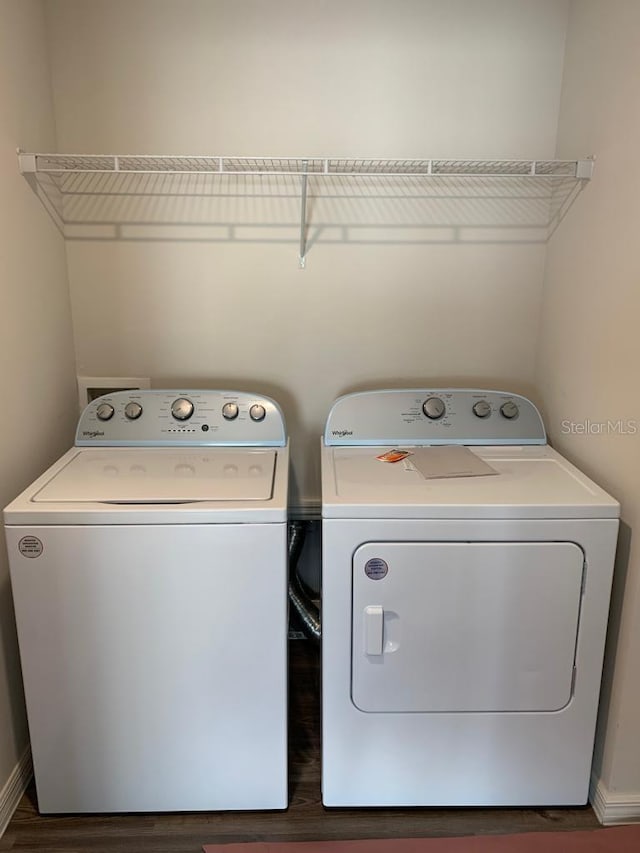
<point x="37" y="384"/>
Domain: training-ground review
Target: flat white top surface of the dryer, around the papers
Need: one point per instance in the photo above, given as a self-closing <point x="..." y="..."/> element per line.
<point x="531" y="482"/>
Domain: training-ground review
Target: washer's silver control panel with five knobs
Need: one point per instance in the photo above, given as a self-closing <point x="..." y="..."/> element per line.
<point x="181" y="418"/>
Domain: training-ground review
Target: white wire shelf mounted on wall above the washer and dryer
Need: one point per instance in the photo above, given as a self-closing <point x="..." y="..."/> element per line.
<point x="108" y="194"/>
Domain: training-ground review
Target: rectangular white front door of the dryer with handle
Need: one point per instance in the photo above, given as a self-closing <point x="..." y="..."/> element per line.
<point x="465" y="626"/>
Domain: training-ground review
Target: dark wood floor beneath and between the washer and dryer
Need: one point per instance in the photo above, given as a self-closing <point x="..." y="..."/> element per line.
<point x="306" y="819"/>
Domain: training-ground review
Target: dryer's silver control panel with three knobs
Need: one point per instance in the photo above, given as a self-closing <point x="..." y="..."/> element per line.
<point x="434" y="416"/>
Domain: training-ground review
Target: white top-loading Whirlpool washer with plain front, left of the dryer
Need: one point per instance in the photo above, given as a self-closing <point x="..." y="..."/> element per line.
<point x="149" y="575"/>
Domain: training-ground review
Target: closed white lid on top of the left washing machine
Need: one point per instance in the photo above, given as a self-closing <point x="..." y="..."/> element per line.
<point x="156" y="476"/>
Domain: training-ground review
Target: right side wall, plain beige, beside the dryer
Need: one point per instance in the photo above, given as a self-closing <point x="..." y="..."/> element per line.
<point x="590" y="346"/>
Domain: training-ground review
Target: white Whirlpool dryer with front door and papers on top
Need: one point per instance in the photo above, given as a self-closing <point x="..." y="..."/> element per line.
<point x="464" y="612"/>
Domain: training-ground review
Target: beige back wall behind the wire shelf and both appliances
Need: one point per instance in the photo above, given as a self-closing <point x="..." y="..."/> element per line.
<point x="413" y="78"/>
